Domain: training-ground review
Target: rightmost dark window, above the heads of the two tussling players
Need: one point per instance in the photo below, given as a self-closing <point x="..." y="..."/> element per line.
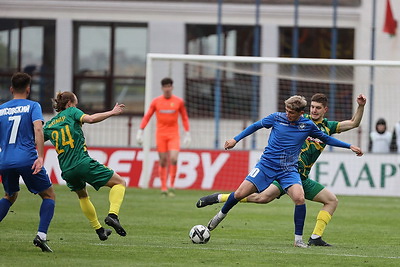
<point x="316" y="43"/>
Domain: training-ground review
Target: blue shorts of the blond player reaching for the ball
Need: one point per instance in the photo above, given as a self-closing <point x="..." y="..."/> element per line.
<point x="262" y="176"/>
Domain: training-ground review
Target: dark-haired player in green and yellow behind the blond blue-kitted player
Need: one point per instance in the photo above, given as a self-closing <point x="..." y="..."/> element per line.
<point x="311" y="150"/>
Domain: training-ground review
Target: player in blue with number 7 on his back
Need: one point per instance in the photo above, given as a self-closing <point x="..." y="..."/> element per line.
<point x="21" y="128"/>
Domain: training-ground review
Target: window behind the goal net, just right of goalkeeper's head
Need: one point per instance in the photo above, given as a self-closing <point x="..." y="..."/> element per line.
<point x="236" y="99"/>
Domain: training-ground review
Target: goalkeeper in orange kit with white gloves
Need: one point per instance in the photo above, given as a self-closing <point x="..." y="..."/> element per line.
<point x="167" y="108"/>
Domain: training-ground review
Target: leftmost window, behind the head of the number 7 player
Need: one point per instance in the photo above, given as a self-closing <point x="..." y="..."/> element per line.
<point x="28" y="46"/>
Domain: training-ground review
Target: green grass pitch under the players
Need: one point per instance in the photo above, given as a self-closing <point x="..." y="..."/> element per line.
<point x="364" y="232"/>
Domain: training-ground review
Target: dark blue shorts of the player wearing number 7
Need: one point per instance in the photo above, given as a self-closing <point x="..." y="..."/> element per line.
<point x="35" y="183"/>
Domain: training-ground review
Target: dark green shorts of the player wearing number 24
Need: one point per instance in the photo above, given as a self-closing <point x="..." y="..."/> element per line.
<point x="89" y="171"/>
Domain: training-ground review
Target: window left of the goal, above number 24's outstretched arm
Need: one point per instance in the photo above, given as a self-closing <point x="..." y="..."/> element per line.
<point x="110" y="65"/>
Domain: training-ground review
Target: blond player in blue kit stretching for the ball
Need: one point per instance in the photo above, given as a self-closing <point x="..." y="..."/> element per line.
<point x="280" y="160"/>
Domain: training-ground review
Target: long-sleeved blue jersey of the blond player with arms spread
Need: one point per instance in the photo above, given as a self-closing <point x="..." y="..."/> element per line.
<point x="286" y="140"/>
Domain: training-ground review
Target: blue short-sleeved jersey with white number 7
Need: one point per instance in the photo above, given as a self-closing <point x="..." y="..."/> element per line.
<point x="17" y="137"/>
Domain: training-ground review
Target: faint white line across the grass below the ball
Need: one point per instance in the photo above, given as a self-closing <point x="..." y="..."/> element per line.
<point x="301" y="250"/>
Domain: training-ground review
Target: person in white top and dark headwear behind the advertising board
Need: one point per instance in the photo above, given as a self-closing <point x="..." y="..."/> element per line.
<point x="380" y="139"/>
